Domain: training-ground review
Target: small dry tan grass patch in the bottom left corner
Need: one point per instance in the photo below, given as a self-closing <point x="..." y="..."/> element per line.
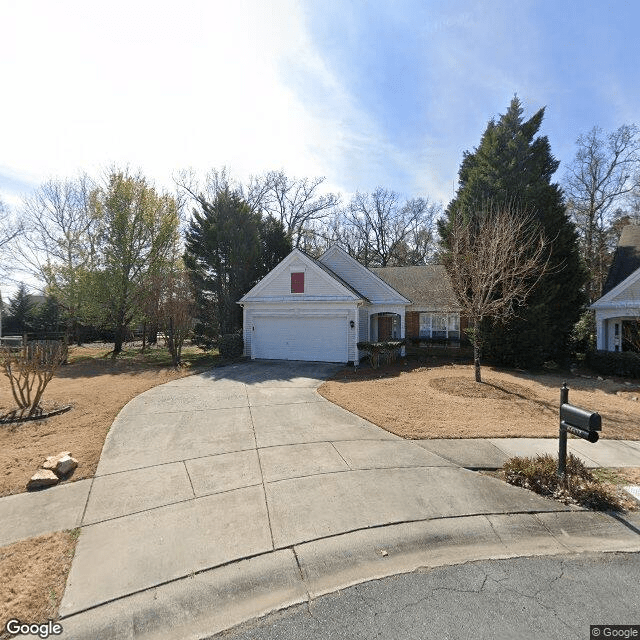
<point x="33" y="575"/>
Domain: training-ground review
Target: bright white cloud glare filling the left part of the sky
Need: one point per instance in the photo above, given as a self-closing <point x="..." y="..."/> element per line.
<point x="162" y="86"/>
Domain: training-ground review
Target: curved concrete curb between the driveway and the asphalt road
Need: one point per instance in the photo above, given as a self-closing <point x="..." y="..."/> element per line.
<point x="211" y="601"/>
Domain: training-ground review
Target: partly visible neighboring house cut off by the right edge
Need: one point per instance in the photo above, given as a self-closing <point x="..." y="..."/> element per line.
<point x="618" y="310"/>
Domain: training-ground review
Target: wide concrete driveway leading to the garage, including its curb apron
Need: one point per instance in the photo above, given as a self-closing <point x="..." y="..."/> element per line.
<point x="245" y="473"/>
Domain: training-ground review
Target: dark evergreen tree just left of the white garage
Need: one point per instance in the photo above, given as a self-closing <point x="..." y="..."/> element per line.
<point x="229" y="248"/>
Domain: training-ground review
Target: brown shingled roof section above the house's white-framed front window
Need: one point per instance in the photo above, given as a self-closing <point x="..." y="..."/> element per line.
<point x="425" y="286"/>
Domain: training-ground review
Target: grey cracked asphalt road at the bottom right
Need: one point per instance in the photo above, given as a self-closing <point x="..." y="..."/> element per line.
<point x="524" y="598"/>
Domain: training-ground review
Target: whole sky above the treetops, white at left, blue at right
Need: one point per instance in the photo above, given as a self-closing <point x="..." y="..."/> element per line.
<point x="365" y="93"/>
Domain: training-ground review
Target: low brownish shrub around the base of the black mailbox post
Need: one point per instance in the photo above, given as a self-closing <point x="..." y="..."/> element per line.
<point x="580" y="486"/>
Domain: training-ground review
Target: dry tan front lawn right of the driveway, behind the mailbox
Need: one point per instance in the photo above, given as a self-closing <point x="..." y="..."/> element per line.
<point x="444" y="401"/>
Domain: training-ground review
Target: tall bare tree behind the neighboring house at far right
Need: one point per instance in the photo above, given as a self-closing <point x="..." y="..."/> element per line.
<point x="605" y="169"/>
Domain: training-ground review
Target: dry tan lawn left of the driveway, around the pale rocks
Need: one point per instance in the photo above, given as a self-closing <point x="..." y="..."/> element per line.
<point x="96" y="388"/>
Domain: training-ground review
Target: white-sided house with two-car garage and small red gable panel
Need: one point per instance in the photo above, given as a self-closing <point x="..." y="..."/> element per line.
<point x="308" y="309"/>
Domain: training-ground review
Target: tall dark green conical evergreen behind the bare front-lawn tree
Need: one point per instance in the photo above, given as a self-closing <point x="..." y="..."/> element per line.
<point x="512" y="165"/>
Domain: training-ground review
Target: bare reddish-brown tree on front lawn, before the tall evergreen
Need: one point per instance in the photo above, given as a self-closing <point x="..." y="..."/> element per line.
<point x="495" y="257"/>
